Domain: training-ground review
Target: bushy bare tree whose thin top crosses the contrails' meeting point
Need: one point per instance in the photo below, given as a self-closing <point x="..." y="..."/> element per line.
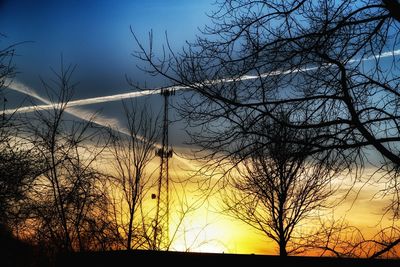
<point x="67" y="206"/>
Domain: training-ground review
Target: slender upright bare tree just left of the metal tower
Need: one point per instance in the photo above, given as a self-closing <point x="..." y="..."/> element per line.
<point x="132" y="152"/>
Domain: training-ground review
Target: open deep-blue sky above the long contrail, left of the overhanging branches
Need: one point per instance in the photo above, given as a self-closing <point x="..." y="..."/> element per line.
<point x="94" y="35"/>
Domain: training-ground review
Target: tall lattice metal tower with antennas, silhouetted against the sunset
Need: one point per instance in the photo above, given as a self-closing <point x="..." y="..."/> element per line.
<point x="161" y="224"/>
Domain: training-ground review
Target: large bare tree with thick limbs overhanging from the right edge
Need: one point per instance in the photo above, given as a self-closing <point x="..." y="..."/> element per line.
<point x="334" y="64"/>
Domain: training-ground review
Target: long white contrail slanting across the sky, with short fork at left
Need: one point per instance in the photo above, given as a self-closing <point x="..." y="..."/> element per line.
<point x="117" y="97"/>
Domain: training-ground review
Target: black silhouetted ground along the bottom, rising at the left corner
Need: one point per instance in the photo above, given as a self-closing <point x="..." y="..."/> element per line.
<point x="18" y="254"/>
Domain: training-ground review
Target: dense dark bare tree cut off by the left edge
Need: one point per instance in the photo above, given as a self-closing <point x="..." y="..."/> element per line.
<point x="18" y="166"/>
